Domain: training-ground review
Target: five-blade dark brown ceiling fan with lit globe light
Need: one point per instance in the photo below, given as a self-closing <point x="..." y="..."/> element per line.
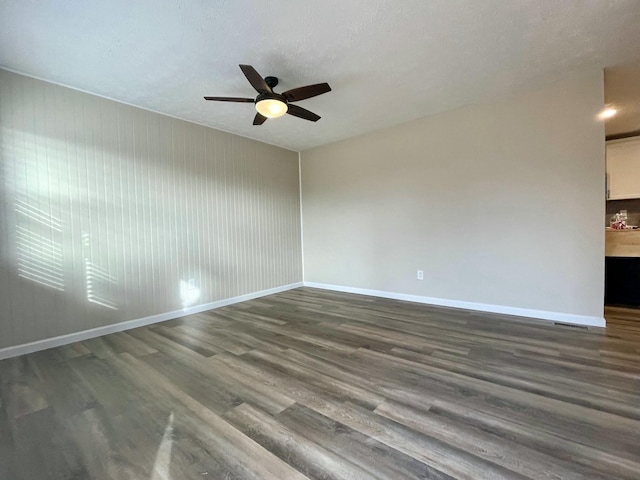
<point x="272" y="105"/>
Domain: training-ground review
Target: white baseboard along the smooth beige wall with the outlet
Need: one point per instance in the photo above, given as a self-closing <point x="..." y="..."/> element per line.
<point x="481" y="307"/>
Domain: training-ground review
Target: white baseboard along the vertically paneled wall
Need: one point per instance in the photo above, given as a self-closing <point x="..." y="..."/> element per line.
<point x="38" y="345"/>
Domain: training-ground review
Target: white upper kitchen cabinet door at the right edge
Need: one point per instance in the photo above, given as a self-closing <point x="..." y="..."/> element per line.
<point x="623" y="168"/>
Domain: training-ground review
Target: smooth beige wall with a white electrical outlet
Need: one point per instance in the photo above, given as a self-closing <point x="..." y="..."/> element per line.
<point x="499" y="204"/>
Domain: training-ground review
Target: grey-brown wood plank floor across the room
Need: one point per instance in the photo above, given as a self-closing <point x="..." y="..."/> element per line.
<point x="315" y="384"/>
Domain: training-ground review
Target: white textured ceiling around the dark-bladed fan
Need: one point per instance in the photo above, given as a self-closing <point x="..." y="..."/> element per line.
<point x="388" y="61"/>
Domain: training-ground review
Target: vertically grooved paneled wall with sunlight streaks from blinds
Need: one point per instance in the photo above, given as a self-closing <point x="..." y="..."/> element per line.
<point x="110" y="213"/>
